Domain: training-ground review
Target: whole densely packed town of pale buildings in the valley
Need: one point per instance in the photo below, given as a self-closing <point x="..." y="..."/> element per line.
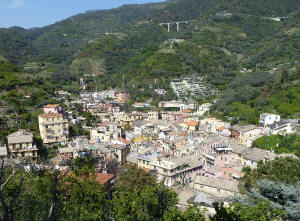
<point x="200" y="157"/>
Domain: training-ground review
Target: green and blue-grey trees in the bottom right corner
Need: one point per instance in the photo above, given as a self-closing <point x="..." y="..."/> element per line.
<point x="277" y="181"/>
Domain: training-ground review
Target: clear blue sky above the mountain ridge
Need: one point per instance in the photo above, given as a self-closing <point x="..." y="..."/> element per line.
<point x="38" y="13"/>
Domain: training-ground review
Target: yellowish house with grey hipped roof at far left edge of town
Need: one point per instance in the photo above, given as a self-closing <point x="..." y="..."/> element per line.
<point x="20" y="145"/>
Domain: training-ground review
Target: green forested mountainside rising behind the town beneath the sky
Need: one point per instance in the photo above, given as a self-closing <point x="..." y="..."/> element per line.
<point x="237" y="47"/>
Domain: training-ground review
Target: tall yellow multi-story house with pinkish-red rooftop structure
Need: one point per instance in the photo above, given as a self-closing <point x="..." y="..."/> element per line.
<point x="53" y="126"/>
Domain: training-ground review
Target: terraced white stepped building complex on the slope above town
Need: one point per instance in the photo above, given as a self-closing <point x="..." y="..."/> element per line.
<point x="189" y="86"/>
